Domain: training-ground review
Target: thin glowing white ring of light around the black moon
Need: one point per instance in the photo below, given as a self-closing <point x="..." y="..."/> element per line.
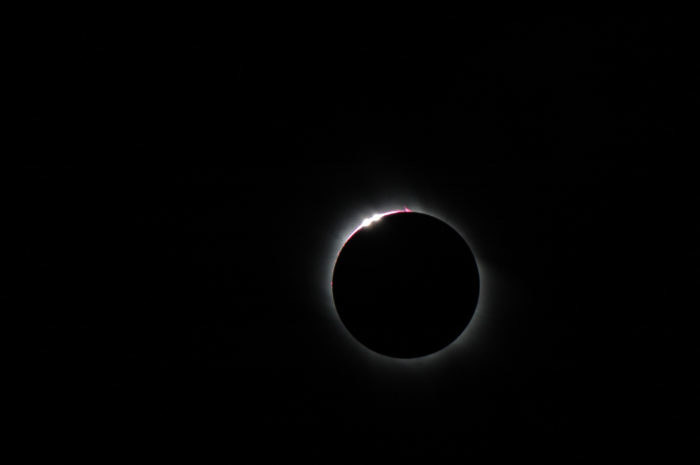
<point x="459" y="340"/>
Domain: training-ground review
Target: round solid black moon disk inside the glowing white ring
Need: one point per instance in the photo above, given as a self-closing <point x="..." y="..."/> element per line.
<point x="406" y="284"/>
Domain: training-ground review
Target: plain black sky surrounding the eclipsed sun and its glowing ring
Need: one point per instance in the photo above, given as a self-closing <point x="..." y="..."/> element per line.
<point x="180" y="188"/>
